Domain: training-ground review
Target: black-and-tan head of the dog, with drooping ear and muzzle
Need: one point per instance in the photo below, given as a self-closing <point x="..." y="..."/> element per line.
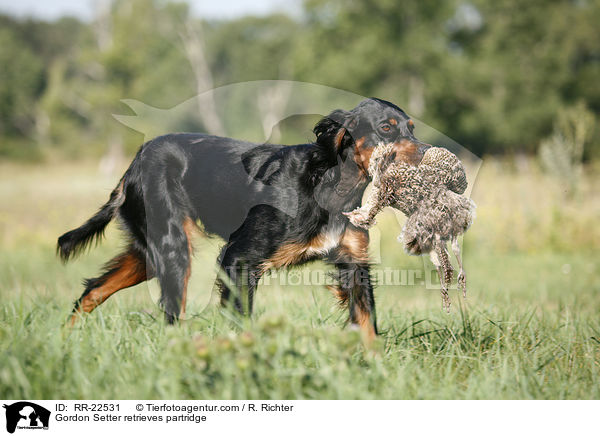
<point x="357" y="132"/>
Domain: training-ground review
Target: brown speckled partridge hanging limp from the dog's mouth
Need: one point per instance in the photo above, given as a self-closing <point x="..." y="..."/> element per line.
<point x="430" y="196"/>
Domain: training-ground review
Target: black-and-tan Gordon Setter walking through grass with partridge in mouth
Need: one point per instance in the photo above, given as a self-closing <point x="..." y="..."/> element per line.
<point x="275" y="205"/>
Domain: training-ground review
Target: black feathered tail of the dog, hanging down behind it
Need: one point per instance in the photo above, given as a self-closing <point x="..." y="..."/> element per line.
<point x="74" y="242"/>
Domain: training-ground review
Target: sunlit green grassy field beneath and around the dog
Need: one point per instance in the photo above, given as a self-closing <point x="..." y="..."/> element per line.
<point x="529" y="329"/>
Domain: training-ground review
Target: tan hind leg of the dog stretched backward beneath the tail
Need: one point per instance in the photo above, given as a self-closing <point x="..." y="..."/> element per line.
<point x="124" y="271"/>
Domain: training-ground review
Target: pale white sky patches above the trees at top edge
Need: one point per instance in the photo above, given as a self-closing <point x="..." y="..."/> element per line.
<point x="83" y="9"/>
